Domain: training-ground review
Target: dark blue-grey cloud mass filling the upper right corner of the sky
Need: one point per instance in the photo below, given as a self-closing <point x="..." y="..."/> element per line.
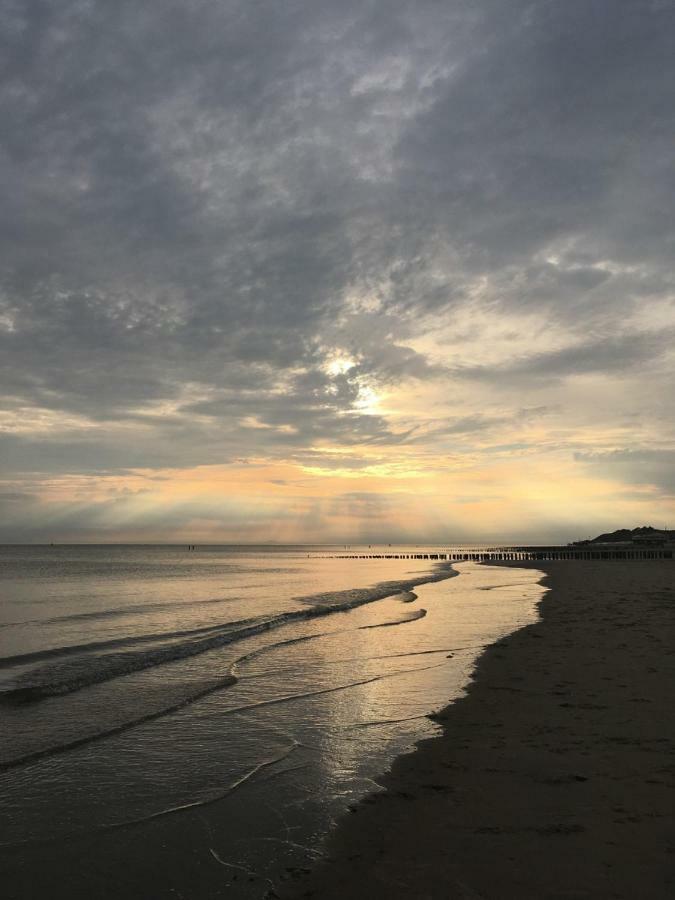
<point x="551" y="128"/>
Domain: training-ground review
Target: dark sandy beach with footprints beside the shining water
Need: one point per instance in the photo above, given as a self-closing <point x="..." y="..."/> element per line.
<point x="554" y="777"/>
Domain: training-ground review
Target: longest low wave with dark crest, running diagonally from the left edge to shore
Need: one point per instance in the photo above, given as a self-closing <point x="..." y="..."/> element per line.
<point x="84" y="666"/>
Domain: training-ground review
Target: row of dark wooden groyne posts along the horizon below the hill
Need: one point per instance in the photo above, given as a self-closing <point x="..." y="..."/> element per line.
<point x="508" y="554"/>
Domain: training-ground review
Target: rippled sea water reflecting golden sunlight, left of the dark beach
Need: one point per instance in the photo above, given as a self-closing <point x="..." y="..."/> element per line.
<point x="226" y="703"/>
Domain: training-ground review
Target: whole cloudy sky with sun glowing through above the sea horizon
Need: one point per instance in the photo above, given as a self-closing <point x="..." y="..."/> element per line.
<point x="336" y="271"/>
